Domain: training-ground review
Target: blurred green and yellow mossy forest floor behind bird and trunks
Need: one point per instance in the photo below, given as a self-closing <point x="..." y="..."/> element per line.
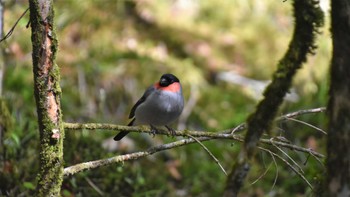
<point x="110" y="51"/>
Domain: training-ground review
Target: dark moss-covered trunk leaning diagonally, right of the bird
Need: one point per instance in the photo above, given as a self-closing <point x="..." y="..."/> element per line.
<point x="308" y="18"/>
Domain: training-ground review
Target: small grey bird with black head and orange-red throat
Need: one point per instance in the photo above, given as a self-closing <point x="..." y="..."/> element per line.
<point x="160" y="105"/>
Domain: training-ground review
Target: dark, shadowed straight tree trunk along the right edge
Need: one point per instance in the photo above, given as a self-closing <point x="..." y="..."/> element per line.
<point x="338" y="159"/>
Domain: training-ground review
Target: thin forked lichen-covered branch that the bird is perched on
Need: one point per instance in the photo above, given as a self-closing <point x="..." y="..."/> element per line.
<point x="200" y="136"/>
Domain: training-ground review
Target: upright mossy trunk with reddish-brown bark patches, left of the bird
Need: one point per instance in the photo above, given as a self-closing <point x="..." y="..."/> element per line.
<point x="47" y="95"/>
